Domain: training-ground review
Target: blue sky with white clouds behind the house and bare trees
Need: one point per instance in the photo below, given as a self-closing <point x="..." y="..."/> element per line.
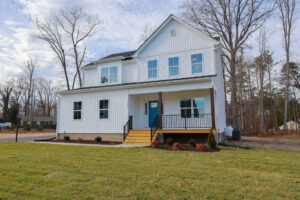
<point x="123" y="22"/>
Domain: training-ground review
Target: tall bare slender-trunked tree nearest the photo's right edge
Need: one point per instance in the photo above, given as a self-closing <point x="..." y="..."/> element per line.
<point x="286" y="10"/>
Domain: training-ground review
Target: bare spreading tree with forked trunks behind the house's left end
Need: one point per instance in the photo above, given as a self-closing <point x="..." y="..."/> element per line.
<point x="65" y="29"/>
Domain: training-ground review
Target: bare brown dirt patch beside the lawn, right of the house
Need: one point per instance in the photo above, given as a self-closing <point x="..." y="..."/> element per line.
<point x="276" y="143"/>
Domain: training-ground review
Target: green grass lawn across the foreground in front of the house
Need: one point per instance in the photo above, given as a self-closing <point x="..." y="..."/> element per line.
<point x="46" y="171"/>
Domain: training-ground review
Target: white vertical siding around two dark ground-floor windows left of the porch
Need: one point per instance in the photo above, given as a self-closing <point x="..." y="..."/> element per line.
<point x="90" y="121"/>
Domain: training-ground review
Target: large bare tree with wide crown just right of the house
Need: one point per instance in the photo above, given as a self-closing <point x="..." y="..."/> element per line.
<point x="233" y="21"/>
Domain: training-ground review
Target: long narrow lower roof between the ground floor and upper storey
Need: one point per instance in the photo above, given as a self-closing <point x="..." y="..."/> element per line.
<point x="135" y="84"/>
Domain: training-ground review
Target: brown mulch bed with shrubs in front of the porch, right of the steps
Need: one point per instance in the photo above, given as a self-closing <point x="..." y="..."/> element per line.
<point x="183" y="147"/>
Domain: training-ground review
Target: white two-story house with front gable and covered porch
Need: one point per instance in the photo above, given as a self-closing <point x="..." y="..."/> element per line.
<point x="172" y="84"/>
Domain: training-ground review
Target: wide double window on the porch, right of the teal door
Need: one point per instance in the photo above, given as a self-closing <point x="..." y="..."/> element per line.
<point x="192" y="107"/>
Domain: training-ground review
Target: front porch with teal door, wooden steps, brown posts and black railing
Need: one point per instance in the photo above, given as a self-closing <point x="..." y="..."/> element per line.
<point x="165" y="113"/>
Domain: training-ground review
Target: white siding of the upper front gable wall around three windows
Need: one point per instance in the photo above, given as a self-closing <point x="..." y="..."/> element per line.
<point x="185" y="43"/>
